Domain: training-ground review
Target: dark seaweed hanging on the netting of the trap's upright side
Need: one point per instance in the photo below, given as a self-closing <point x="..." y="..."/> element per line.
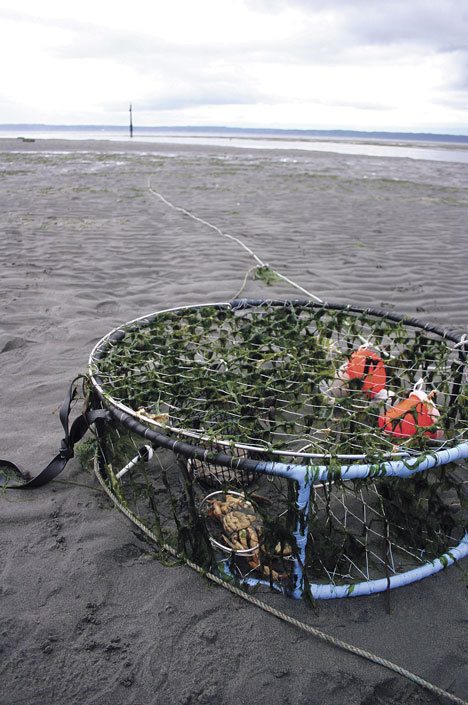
<point x="417" y="513"/>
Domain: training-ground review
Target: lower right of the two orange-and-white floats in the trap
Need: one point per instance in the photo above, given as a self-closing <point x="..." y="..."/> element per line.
<point x="407" y="417"/>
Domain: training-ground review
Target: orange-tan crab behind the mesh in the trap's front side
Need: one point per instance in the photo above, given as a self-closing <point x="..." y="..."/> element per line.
<point x="243" y="531"/>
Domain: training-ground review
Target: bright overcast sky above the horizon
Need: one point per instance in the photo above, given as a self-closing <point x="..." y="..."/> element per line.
<point x="398" y="65"/>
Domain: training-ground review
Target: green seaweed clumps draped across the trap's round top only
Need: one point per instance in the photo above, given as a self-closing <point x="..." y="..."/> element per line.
<point x="260" y="377"/>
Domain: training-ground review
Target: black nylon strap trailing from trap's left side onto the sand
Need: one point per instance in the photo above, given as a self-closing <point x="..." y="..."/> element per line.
<point x="72" y="435"/>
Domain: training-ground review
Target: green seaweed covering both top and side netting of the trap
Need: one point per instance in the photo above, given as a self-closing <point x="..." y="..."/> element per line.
<point x="254" y="384"/>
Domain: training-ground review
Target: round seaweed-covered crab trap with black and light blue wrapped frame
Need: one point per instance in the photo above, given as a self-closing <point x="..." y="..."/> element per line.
<point x="333" y="437"/>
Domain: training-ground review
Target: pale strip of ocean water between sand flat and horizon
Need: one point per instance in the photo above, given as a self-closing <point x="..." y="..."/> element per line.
<point x="393" y="146"/>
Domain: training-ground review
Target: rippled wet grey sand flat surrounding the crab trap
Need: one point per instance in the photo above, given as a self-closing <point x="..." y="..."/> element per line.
<point x="87" y="614"/>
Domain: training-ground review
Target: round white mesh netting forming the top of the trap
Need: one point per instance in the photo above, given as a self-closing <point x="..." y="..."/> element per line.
<point x="268" y="378"/>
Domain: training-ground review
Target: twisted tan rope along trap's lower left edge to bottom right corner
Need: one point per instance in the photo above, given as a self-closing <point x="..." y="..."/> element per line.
<point x="271" y="610"/>
